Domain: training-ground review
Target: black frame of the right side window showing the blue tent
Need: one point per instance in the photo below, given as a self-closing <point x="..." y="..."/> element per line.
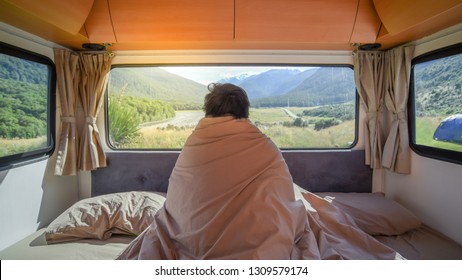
<point x="423" y="150"/>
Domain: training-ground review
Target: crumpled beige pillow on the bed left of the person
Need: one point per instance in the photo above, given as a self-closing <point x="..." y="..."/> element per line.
<point x="101" y="216"/>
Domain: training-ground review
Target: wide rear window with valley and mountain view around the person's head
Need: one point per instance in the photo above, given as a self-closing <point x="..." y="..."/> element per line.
<point x="298" y="107"/>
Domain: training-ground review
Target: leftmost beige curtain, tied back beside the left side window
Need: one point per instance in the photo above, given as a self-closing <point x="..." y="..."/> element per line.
<point x="66" y="68"/>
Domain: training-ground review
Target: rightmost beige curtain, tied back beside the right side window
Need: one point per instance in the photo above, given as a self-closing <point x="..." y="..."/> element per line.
<point x="396" y="153"/>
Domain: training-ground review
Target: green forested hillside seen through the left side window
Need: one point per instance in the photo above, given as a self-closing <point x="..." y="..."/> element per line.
<point x="23" y="98"/>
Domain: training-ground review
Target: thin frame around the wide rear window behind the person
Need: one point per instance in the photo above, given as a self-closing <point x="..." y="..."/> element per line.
<point x="346" y="65"/>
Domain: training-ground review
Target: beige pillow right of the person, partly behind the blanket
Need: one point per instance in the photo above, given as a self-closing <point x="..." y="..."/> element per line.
<point x="374" y="213"/>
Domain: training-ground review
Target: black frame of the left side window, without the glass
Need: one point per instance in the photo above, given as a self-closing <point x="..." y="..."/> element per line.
<point x="24" y="158"/>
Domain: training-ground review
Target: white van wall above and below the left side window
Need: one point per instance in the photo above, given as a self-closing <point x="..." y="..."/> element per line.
<point x="31" y="196"/>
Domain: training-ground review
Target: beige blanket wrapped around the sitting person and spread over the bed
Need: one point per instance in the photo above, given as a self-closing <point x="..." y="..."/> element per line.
<point x="231" y="196"/>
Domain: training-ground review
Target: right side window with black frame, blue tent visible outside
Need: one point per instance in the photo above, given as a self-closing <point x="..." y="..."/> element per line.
<point x="436" y="104"/>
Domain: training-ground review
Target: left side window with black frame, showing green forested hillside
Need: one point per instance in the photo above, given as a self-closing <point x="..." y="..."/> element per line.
<point x="27" y="84"/>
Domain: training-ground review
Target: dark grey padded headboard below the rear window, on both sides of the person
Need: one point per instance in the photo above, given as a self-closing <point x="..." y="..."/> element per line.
<point x="326" y="171"/>
